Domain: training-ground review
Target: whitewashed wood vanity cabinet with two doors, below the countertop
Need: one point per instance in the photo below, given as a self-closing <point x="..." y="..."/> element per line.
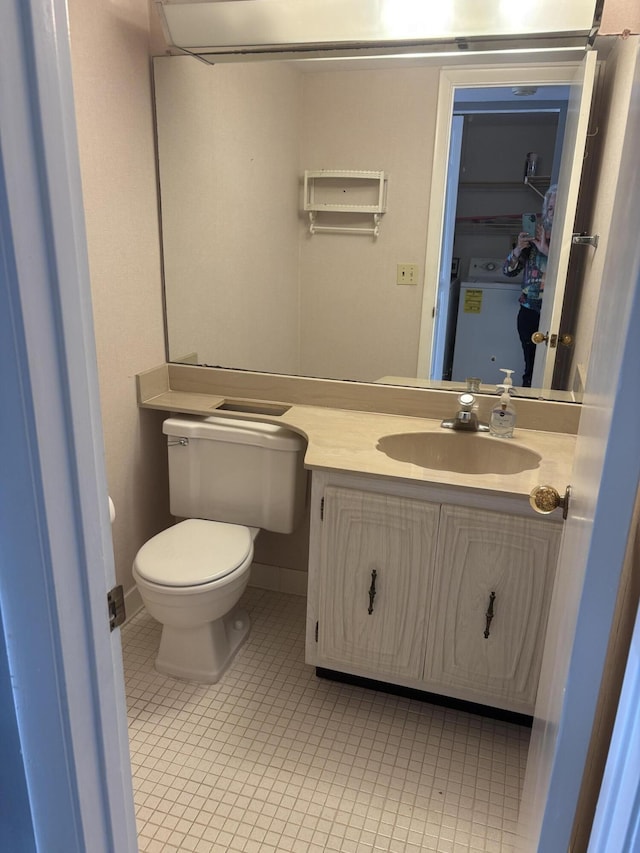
<point x="410" y="586"/>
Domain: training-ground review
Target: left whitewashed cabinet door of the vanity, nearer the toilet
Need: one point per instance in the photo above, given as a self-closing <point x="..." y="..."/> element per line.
<point x="377" y="557"/>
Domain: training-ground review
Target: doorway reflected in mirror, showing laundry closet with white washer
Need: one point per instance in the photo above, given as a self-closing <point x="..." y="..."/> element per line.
<point x="493" y="131"/>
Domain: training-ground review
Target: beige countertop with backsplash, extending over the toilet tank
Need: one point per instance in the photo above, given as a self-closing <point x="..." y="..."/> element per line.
<point x="344" y="438"/>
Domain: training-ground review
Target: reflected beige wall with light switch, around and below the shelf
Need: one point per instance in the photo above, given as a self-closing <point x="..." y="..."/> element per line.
<point x="356" y="322"/>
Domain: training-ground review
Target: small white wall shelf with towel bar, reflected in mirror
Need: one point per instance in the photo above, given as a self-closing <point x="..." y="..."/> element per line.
<point x="344" y="191"/>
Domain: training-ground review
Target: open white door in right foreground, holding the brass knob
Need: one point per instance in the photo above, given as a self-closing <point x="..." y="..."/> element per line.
<point x="606" y="477"/>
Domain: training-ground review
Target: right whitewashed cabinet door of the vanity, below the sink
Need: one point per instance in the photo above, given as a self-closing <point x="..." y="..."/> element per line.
<point x="490" y="605"/>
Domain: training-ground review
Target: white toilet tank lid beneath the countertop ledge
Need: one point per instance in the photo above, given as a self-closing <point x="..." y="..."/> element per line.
<point x="235" y="431"/>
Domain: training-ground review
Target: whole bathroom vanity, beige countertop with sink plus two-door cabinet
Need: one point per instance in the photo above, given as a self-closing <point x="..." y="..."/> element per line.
<point x="428" y="568"/>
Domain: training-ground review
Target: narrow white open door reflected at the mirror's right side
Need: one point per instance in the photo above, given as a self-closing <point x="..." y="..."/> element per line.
<point x="573" y="147"/>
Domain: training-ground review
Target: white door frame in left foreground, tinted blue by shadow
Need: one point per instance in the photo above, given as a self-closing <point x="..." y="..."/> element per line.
<point x="67" y="688"/>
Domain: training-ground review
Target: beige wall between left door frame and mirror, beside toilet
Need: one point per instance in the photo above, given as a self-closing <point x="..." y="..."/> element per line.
<point x="110" y="58"/>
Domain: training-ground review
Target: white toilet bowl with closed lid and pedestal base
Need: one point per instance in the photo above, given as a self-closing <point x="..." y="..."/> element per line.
<point x="191" y="577"/>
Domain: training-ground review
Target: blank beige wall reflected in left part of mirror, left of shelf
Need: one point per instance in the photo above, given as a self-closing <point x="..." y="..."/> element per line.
<point x="228" y="152"/>
